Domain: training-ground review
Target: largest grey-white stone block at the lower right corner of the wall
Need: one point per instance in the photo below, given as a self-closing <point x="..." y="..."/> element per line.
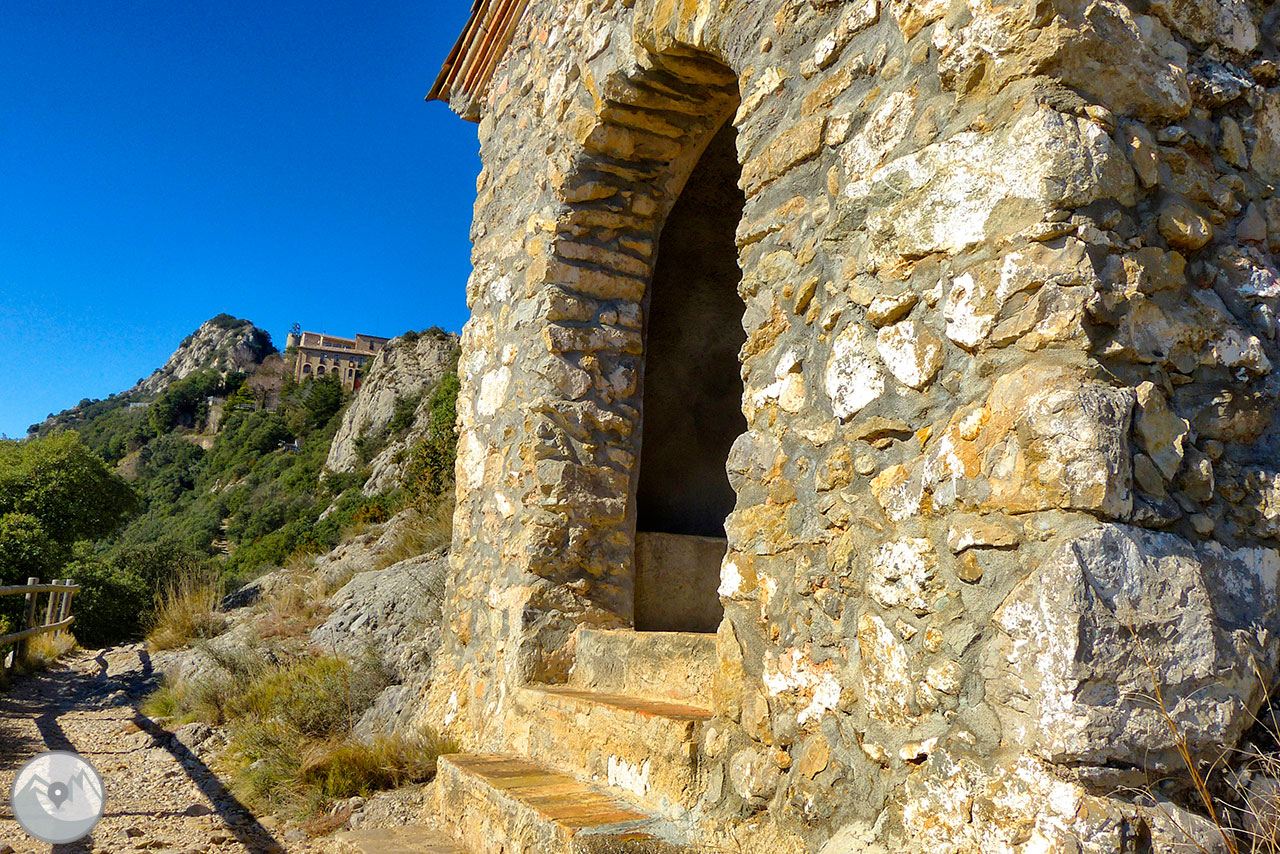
<point x="1118" y="613"/>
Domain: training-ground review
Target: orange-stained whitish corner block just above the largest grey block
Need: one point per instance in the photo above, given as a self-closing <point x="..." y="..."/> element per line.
<point x="1045" y="439"/>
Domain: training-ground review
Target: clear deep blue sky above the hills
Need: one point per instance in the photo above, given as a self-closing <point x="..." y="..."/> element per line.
<point x="163" y="161"/>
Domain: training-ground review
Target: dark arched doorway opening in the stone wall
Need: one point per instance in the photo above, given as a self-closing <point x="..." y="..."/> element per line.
<point x="693" y="400"/>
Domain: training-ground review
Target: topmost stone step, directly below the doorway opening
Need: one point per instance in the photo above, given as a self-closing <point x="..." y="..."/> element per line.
<point x="671" y="665"/>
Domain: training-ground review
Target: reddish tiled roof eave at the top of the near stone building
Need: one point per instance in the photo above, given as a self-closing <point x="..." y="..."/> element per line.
<point x="474" y="58"/>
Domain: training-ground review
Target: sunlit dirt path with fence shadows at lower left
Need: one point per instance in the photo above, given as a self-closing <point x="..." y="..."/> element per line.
<point x="161" y="796"/>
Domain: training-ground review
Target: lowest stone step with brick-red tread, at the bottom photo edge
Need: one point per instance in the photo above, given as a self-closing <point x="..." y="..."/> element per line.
<point x="499" y="805"/>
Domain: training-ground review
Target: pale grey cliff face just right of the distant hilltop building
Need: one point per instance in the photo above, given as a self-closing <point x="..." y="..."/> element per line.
<point x="376" y="430"/>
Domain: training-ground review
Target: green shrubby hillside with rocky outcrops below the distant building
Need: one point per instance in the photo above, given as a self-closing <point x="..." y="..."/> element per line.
<point x="218" y="469"/>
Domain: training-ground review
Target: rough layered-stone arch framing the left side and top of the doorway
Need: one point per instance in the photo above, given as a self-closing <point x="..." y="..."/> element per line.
<point x="650" y="129"/>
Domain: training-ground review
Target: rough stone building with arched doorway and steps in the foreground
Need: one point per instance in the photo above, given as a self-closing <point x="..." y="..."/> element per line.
<point x="866" y="408"/>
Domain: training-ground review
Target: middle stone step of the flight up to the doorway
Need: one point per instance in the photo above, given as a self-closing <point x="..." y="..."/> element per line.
<point x="642" y="748"/>
